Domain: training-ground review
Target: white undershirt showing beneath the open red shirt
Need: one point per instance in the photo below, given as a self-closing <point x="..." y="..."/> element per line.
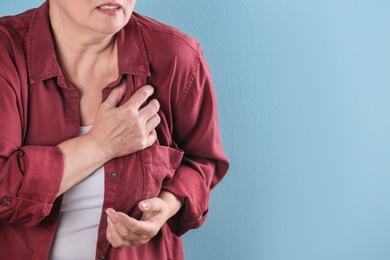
<point x="77" y="230"/>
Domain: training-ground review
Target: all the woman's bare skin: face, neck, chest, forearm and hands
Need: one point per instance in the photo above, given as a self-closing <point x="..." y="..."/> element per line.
<point x="86" y="50"/>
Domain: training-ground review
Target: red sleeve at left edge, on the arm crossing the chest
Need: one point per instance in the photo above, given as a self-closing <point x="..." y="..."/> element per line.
<point x="30" y="176"/>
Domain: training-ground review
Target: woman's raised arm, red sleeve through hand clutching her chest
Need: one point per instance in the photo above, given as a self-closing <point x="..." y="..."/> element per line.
<point x="31" y="177"/>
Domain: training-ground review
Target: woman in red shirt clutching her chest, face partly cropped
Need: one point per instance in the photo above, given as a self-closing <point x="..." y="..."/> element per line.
<point x="109" y="138"/>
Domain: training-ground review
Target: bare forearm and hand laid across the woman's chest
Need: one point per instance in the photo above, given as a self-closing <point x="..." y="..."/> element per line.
<point x="117" y="131"/>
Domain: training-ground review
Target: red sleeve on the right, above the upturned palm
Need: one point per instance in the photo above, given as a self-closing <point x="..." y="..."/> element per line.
<point x="197" y="133"/>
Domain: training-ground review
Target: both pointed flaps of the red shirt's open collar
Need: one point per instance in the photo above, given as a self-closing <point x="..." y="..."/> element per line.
<point x="41" y="56"/>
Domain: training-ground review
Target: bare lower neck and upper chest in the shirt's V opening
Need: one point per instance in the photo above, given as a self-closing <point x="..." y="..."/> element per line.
<point x="89" y="68"/>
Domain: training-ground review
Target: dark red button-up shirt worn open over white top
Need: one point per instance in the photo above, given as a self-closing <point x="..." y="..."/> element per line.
<point x="40" y="109"/>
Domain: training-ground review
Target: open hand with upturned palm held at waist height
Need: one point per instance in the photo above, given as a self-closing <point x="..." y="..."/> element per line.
<point x="124" y="231"/>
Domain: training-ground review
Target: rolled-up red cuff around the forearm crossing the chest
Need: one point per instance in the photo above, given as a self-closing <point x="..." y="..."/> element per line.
<point x="34" y="184"/>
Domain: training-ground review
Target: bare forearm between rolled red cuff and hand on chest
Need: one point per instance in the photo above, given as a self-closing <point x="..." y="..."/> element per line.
<point x="82" y="157"/>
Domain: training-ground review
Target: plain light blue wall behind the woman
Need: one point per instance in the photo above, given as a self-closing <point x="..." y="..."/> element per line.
<point x="303" y="89"/>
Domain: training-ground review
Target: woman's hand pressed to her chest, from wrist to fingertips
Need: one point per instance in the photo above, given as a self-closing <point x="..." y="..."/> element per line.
<point x="125" y="129"/>
